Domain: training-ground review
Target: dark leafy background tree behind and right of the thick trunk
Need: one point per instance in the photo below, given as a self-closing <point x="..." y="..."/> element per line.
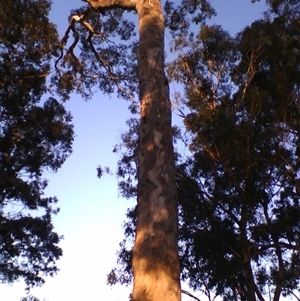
<point x="239" y="208"/>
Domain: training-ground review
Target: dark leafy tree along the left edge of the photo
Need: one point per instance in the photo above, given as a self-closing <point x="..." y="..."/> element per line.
<point x="36" y="134"/>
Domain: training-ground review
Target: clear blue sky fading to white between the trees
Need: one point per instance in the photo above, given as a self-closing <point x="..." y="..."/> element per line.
<point x="92" y="212"/>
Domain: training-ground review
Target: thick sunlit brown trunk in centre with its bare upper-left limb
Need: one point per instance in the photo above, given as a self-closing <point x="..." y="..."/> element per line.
<point x="155" y="254"/>
